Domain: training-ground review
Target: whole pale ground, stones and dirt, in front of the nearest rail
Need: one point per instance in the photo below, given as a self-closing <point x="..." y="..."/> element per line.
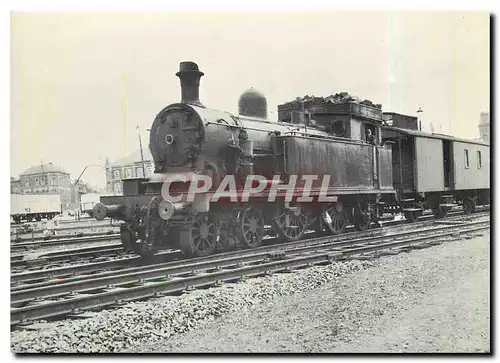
<point x="435" y="299"/>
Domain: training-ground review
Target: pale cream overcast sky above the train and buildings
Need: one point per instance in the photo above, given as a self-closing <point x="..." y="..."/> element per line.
<point x="67" y="71"/>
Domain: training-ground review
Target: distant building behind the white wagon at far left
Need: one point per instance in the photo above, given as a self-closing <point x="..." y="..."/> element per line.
<point x="46" y="179"/>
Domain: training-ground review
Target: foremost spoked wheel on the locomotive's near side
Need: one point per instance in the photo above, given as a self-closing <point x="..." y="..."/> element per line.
<point x="204" y="235"/>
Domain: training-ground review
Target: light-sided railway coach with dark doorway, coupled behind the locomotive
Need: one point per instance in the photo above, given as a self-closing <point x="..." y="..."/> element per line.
<point x="435" y="171"/>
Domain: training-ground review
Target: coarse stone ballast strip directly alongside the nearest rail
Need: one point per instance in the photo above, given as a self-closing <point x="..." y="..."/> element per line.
<point x="155" y="320"/>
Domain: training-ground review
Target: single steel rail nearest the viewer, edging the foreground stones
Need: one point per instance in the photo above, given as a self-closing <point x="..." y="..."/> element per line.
<point x="170" y="285"/>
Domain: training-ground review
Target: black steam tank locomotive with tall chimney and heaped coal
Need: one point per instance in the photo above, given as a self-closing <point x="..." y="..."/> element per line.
<point x="290" y="159"/>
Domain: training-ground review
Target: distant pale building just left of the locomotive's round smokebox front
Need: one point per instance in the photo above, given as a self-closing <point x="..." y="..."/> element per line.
<point x="129" y="167"/>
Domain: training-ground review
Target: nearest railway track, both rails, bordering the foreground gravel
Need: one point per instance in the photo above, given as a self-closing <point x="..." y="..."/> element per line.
<point x="52" y="299"/>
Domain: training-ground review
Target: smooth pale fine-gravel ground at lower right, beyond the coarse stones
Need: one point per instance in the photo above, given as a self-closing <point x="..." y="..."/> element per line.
<point x="431" y="300"/>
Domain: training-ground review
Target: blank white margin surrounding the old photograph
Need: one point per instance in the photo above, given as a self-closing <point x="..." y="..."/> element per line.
<point x="174" y="6"/>
